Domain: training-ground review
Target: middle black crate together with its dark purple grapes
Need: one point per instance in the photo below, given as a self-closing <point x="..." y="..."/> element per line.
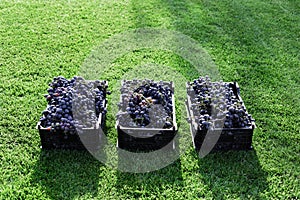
<point x="146" y="119"/>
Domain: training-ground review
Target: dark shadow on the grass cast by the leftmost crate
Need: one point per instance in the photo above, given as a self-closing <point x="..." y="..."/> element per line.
<point x="67" y="174"/>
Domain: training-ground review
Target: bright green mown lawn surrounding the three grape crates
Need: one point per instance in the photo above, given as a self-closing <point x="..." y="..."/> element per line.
<point x="253" y="42"/>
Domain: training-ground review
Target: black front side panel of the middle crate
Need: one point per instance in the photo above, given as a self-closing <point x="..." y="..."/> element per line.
<point x="157" y="141"/>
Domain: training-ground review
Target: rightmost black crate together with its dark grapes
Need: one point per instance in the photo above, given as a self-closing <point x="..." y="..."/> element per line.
<point x="216" y="110"/>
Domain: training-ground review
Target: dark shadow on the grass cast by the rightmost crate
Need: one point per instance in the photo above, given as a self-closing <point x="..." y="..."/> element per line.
<point x="237" y="174"/>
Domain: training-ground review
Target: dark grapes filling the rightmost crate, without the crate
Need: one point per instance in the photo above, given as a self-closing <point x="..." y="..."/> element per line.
<point x="218" y="105"/>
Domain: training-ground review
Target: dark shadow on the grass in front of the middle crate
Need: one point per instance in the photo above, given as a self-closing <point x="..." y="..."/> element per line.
<point x="145" y="185"/>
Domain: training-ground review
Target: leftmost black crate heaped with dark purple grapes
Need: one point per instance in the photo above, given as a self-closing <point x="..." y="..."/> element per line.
<point x="75" y="114"/>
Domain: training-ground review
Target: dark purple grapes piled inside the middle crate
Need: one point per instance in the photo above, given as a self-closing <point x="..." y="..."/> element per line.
<point x="144" y="105"/>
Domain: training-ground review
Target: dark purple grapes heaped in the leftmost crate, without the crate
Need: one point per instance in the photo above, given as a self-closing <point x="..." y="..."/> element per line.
<point x="66" y="96"/>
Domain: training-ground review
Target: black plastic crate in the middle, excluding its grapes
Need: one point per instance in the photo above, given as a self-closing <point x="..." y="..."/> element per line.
<point x="141" y="138"/>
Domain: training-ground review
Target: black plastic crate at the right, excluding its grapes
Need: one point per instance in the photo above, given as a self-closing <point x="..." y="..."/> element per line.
<point x="230" y="138"/>
